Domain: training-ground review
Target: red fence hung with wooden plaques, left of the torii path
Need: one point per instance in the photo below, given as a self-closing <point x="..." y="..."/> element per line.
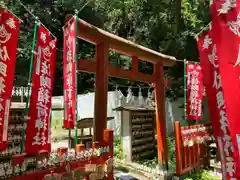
<point x="100" y="167"/>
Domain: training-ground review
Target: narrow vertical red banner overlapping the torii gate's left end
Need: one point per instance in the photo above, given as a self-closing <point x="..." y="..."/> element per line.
<point x="69" y="74"/>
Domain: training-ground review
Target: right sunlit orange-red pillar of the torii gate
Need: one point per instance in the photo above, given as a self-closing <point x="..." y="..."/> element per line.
<point x="160" y="117"/>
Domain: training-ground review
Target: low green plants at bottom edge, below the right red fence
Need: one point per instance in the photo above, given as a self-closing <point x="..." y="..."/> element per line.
<point x="202" y="175"/>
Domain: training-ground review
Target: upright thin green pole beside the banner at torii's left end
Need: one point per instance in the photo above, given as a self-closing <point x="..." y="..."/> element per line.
<point x="76" y="55"/>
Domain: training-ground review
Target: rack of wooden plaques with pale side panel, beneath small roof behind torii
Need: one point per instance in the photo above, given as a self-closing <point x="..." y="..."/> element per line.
<point x="138" y="134"/>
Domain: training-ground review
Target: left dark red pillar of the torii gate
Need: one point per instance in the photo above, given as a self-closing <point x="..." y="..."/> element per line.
<point x="101" y="92"/>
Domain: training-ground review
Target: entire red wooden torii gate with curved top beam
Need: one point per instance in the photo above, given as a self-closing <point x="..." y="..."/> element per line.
<point x="106" y="41"/>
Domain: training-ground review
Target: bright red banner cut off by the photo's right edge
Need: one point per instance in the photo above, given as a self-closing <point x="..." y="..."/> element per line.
<point x="226" y="19"/>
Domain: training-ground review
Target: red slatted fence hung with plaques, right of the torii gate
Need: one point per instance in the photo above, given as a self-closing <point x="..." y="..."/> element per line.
<point x="191" y="146"/>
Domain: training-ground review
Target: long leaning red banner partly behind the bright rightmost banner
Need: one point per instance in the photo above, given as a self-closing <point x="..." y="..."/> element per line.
<point x="215" y="94"/>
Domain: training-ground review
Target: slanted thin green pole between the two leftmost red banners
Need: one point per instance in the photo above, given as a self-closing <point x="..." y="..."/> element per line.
<point x="23" y="133"/>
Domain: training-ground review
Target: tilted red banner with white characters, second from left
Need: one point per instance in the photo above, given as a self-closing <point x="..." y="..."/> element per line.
<point x="39" y="115"/>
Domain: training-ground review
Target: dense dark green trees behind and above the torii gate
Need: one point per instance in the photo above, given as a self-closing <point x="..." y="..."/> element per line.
<point x="167" y="26"/>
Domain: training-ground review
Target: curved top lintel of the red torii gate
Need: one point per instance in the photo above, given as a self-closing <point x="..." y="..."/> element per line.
<point x="120" y="45"/>
